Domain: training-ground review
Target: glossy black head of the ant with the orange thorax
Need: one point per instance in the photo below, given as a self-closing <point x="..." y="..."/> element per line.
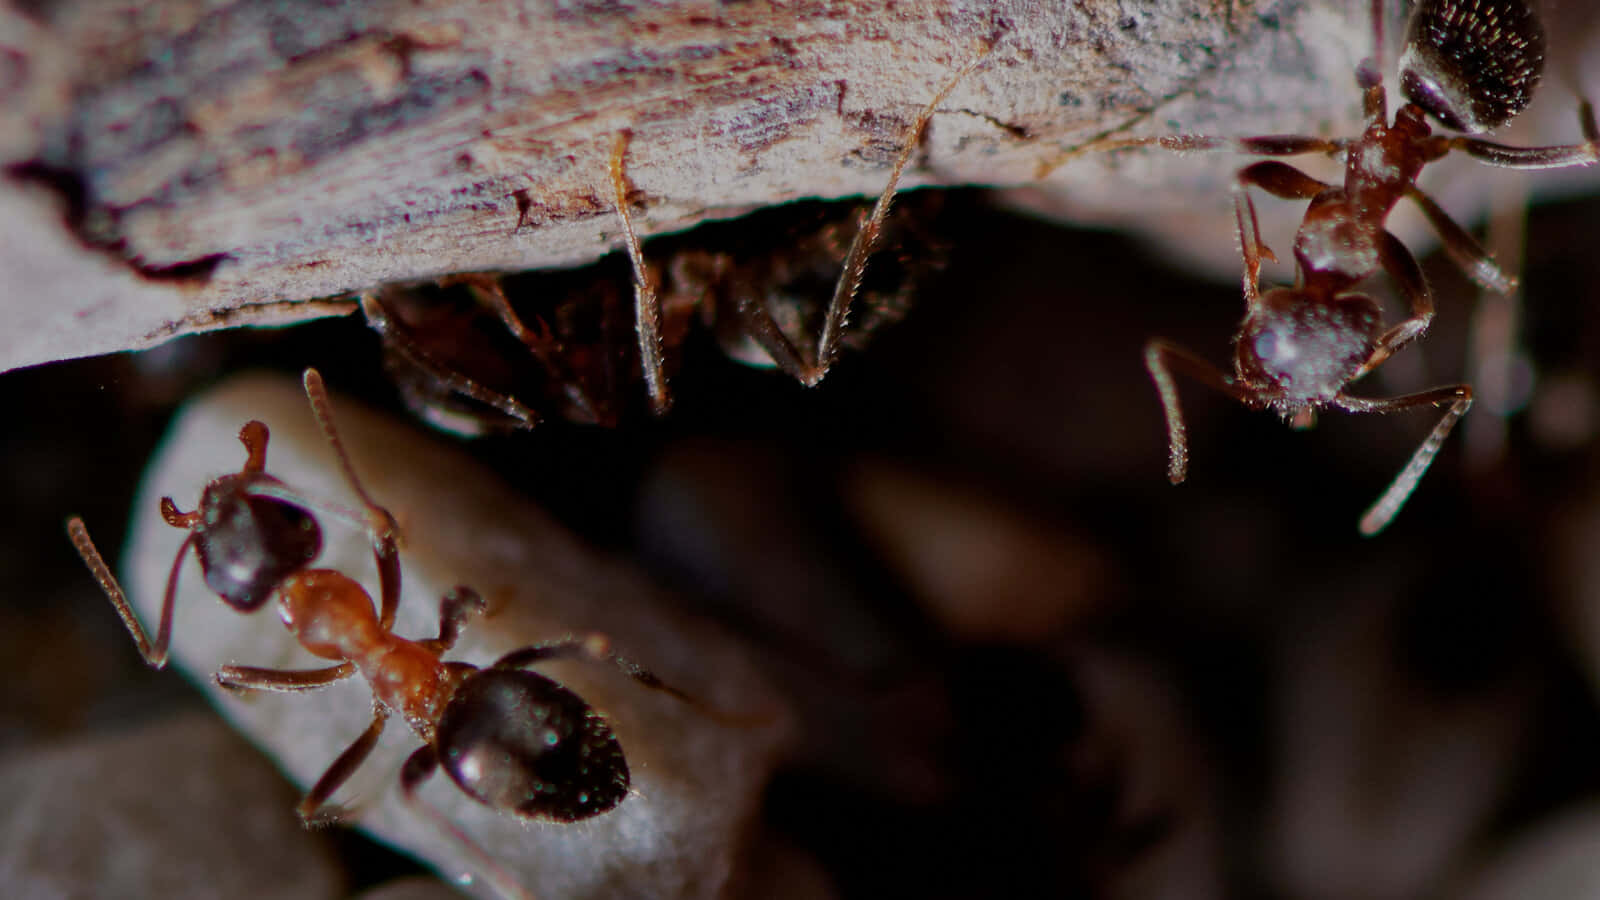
<point x="249" y="544"/>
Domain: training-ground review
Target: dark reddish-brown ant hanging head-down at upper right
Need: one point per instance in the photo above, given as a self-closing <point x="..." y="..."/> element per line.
<point x="1473" y="65"/>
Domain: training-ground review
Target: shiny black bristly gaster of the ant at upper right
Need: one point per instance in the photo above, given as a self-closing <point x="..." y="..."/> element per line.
<point x="1473" y="65"/>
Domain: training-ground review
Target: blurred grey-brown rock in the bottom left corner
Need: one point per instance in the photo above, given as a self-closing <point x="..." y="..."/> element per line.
<point x="178" y="810"/>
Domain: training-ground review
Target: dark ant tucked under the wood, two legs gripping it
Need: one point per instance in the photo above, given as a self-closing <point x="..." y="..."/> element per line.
<point x="746" y="303"/>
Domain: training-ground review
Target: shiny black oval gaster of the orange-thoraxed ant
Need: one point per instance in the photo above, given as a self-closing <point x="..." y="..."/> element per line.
<point x="519" y="742"/>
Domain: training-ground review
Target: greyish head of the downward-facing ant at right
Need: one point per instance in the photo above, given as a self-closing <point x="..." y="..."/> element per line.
<point x="1298" y="348"/>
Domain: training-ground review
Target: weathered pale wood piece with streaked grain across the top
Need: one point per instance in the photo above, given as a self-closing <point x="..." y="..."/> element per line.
<point x="194" y="166"/>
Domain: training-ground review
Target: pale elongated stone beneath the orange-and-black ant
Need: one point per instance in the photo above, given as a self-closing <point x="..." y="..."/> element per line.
<point x="697" y="785"/>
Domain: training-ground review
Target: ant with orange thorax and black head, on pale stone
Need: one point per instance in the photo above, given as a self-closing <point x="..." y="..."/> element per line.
<point x="510" y="737"/>
